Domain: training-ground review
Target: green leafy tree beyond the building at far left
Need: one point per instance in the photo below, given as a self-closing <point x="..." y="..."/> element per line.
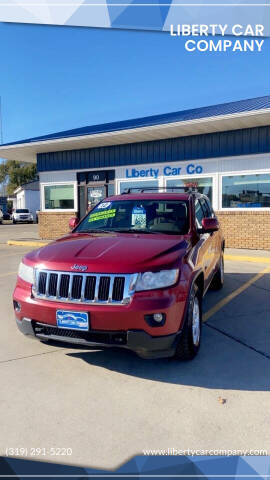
<point x="14" y="174"/>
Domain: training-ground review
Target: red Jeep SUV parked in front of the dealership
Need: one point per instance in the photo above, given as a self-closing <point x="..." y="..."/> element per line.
<point x="131" y="274"/>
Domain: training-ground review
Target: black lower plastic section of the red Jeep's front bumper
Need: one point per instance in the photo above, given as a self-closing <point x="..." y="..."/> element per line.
<point x="140" y="342"/>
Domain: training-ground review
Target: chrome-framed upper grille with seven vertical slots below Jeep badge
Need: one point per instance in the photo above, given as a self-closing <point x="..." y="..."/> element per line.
<point x="83" y="287"/>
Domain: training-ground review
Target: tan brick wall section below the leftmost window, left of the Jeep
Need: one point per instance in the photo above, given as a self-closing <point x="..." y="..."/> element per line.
<point x="54" y="225"/>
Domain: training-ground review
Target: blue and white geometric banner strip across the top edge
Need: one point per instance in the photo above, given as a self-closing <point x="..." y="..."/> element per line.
<point x="157" y="15"/>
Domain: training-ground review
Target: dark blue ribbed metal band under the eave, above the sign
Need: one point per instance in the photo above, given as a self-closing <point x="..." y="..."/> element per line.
<point x="194" y="147"/>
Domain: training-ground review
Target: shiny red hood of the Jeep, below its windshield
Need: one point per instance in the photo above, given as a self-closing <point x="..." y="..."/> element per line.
<point x="111" y="253"/>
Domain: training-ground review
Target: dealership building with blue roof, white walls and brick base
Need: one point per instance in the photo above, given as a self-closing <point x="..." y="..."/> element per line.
<point x="223" y="150"/>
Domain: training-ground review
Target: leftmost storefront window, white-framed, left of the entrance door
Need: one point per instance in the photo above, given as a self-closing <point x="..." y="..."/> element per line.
<point x="59" y="197"/>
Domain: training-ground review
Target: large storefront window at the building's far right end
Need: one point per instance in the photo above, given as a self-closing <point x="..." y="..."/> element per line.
<point x="246" y="191"/>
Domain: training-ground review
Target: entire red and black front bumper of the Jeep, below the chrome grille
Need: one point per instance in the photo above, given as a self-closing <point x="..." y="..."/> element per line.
<point x="126" y="322"/>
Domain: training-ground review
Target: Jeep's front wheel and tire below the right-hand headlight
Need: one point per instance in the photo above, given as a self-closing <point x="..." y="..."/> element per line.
<point x="190" y="339"/>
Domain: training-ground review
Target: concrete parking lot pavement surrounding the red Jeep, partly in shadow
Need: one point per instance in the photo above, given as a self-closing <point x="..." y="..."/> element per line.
<point x="108" y="406"/>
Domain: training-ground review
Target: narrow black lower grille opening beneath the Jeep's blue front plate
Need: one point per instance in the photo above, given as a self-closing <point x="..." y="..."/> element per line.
<point x="108" y="338"/>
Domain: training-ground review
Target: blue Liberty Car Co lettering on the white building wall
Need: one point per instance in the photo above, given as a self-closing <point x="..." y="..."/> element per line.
<point x="167" y="171"/>
